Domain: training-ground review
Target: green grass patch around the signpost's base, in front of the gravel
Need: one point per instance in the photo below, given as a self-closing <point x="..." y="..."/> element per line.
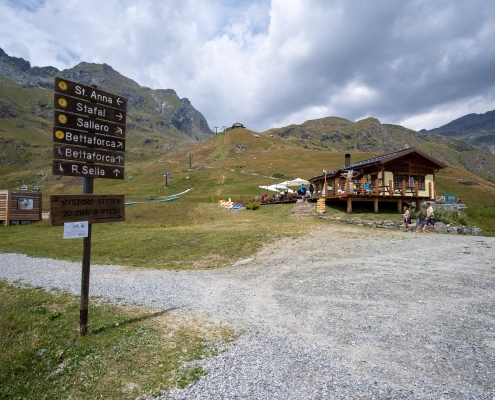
<point x="125" y="353"/>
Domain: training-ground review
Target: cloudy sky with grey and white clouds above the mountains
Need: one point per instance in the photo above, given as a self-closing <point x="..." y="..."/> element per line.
<point x="268" y="64"/>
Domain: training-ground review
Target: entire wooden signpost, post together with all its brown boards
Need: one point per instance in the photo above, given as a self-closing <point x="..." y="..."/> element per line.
<point x="88" y="141"/>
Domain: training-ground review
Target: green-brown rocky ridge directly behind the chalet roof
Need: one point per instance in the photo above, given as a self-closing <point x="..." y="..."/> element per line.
<point x="371" y="136"/>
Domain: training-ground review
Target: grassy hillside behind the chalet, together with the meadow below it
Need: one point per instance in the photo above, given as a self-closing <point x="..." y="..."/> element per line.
<point x="193" y="232"/>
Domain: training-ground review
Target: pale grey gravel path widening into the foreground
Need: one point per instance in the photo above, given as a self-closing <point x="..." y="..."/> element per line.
<point x="344" y="313"/>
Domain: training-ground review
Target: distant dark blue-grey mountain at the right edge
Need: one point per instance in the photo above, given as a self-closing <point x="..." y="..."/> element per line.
<point x="475" y="129"/>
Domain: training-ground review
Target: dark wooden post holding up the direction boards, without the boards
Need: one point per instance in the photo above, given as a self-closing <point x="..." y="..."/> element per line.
<point x="86" y="266"/>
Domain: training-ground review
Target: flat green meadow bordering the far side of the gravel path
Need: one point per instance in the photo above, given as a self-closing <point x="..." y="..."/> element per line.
<point x="178" y="235"/>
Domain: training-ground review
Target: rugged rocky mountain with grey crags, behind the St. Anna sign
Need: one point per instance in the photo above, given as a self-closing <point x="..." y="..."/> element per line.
<point x="157" y="117"/>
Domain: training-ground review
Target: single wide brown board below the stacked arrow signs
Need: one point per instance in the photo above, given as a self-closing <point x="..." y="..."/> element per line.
<point x="94" y="208"/>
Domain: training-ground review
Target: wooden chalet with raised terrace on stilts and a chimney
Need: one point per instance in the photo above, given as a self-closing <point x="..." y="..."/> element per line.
<point x="404" y="176"/>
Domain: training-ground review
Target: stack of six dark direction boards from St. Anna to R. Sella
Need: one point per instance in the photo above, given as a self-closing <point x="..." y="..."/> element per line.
<point x="89" y="133"/>
